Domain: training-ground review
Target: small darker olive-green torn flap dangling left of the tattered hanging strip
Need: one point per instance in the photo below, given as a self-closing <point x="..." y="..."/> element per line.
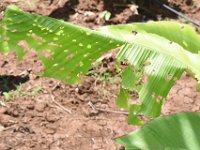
<point x="122" y="99"/>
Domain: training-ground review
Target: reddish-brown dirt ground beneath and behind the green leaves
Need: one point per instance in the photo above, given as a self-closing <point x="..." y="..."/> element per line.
<point x="45" y="114"/>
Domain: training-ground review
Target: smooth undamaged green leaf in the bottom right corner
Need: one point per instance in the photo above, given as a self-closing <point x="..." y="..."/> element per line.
<point x="175" y="132"/>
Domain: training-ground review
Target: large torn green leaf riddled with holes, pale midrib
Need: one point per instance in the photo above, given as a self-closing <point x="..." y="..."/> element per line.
<point x="67" y="52"/>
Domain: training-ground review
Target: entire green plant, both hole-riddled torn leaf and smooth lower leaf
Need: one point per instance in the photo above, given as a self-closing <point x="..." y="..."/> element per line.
<point x="157" y="51"/>
